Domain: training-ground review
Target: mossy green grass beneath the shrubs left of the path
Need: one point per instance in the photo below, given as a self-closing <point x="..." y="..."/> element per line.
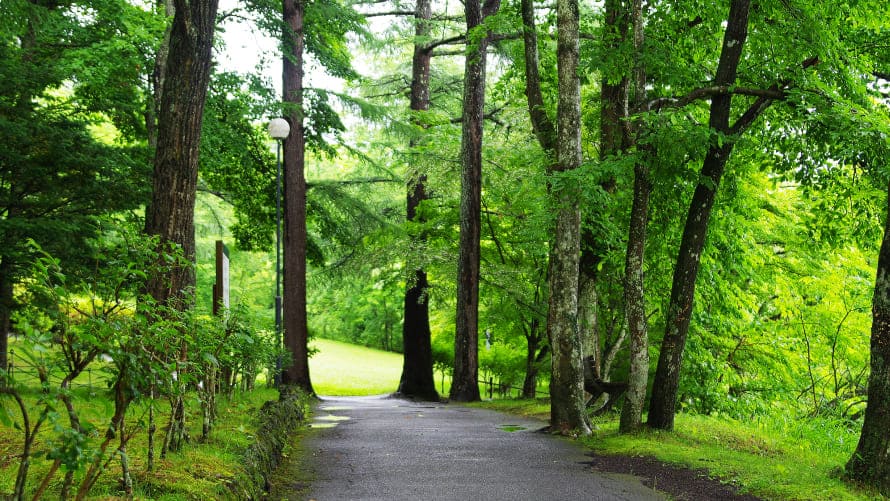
<point x="200" y="471"/>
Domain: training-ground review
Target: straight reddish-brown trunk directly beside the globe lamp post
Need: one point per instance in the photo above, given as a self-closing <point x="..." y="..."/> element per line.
<point x="296" y="329"/>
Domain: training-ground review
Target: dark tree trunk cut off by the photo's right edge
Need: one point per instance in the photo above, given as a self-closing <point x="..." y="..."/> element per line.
<point x="870" y="464"/>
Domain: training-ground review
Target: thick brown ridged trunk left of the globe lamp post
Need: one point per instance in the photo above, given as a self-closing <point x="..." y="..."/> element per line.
<point x="171" y="212"/>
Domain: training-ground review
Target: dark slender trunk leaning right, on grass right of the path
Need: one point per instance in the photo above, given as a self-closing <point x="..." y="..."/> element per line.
<point x="665" y="386"/>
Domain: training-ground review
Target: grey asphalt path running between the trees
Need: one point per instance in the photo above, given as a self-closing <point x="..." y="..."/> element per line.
<point x="381" y="448"/>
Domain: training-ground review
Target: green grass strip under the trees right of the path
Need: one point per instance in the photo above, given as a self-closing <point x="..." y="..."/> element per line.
<point x="773" y="458"/>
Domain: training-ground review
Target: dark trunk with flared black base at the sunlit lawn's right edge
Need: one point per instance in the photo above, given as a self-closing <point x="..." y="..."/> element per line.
<point x="417" y="369"/>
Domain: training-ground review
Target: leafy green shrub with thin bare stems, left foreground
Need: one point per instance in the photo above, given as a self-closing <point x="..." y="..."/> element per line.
<point x="80" y="324"/>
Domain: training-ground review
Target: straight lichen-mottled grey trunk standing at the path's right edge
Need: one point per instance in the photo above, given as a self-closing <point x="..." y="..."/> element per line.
<point x="567" y="410"/>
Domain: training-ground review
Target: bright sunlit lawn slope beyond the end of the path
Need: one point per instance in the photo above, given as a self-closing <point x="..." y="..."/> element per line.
<point x="339" y="369"/>
